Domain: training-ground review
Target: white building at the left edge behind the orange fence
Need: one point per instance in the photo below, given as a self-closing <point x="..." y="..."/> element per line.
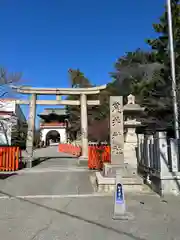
<point x="13" y="124"/>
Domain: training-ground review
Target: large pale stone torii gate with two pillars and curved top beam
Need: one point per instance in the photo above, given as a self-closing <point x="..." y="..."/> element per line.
<point x="32" y="102"/>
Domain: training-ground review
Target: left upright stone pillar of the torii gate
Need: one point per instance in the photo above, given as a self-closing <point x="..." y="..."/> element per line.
<point x="31" y="128"/>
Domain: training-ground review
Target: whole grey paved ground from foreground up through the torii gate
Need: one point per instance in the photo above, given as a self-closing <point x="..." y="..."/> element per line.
<point x="56" y="201"/>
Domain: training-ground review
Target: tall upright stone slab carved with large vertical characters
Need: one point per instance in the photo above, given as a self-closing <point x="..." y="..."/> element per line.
<point x="116" y="130"/>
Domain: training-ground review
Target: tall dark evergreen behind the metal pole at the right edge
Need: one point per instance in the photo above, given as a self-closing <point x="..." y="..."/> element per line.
<point x="156" y="94"/>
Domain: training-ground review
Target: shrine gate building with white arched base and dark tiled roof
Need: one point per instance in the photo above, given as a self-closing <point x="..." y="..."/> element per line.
<point x="53" y="125"/>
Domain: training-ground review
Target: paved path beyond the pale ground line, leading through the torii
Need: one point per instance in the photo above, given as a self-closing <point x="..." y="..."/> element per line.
<point x="57" y="174"/>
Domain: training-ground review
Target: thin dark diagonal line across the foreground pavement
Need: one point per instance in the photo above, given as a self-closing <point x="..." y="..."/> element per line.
<point x="75" y="217"/>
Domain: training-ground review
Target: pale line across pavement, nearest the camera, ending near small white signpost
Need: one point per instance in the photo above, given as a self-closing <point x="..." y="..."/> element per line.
<point x="56" y="196"/>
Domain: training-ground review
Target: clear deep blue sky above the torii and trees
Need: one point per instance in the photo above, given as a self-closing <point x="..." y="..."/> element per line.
<point x="44" y="38"/>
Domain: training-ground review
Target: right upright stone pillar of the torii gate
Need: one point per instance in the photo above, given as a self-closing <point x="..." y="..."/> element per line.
<point x="84" y="126"/>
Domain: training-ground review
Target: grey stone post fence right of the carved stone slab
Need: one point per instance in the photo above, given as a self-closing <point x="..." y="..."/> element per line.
<point x="157" y="154"/>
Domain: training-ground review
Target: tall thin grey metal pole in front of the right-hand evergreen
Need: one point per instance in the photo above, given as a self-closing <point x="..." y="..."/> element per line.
<point x="173" y="71"/>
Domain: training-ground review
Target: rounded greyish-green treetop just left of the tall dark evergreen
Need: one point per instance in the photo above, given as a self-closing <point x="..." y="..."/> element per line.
<point x="133" y="69"/>
